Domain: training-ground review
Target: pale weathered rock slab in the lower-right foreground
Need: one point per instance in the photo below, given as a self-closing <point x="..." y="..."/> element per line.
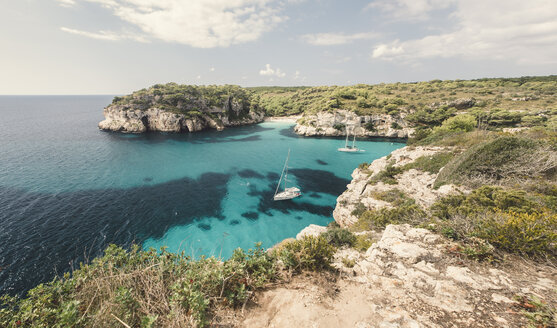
<point x="410" y="274"/>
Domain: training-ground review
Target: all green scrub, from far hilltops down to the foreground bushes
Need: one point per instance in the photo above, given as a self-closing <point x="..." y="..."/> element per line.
<point x="510" y="211"/>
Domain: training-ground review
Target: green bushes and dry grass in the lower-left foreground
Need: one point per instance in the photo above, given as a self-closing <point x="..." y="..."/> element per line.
<point x="150" y="289"/>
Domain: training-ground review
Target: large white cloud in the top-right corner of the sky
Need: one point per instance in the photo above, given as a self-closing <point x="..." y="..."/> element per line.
<point x="515" y="30"/>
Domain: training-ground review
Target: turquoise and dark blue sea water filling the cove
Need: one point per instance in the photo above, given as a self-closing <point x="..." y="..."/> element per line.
<point x="67" y="190"/>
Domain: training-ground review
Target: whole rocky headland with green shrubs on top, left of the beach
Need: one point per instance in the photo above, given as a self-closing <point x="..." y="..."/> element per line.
<point x="181" y="108"/>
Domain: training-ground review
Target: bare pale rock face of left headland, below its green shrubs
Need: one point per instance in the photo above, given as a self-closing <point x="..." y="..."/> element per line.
<point x="122" y="118"/>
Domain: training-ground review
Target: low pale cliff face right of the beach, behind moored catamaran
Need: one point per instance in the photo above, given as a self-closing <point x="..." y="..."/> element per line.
<point x="380" y="125"/>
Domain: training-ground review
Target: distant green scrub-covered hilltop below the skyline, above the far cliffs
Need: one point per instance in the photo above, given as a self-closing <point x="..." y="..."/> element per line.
<point x="494" y="103"/>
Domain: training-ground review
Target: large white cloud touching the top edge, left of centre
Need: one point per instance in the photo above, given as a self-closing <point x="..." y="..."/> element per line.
<point x="198" y="23"/>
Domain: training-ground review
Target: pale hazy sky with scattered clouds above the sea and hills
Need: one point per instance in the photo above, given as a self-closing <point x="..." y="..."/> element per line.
<point x="118" y="46"/>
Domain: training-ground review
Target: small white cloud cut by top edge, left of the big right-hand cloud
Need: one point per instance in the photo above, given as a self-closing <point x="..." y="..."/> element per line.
<point x="409" y="9"/>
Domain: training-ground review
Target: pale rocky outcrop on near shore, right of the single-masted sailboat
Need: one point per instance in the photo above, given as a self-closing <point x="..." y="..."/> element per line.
<point x="414" y="183"/>
